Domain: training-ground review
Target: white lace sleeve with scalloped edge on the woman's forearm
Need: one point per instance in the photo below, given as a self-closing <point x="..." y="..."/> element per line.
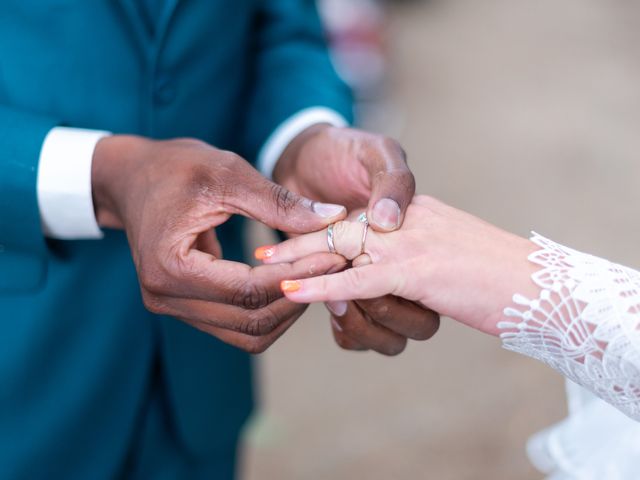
<point x="585" y="323"/>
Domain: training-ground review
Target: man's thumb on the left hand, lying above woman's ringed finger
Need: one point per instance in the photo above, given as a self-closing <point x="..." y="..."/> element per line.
<point x="279" y="208"/>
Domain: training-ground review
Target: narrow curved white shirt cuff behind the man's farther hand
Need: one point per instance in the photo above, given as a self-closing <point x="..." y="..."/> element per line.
<point x="280" y="139"/>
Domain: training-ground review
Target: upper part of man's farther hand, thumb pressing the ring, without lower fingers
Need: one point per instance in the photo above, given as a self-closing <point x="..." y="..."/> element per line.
<point x="350" y="167"/>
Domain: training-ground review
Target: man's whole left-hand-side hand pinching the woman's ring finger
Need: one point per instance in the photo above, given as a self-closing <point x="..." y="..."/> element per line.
<point x="169" y="196"/>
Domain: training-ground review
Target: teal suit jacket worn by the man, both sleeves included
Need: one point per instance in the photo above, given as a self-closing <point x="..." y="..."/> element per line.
<point x="77" y="348"/>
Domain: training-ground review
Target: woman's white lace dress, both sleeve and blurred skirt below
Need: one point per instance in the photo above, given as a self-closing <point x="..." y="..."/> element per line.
<point x="586" y="325"/>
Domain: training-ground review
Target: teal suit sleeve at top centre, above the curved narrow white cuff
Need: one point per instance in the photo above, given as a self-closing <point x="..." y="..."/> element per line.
<point x="292" y="70"/>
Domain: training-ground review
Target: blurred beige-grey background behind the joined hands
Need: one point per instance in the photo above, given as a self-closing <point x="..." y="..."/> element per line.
<point x="524" y="113"/>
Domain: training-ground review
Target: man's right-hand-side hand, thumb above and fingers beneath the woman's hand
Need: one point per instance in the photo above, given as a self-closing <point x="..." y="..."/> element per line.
<point x="360" y="170"/>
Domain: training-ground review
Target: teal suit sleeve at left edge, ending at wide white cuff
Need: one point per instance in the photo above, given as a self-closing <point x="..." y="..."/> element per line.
<point x="22" y="244"/>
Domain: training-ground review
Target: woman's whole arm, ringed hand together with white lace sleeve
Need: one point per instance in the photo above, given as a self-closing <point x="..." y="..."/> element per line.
<point x="575" y="312"/>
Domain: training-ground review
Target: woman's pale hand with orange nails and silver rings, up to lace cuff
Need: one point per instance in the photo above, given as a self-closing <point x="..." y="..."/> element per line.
<point x="445" y="259"/>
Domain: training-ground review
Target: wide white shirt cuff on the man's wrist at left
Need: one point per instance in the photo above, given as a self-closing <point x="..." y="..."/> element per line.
<point x="64" y="184"/>
